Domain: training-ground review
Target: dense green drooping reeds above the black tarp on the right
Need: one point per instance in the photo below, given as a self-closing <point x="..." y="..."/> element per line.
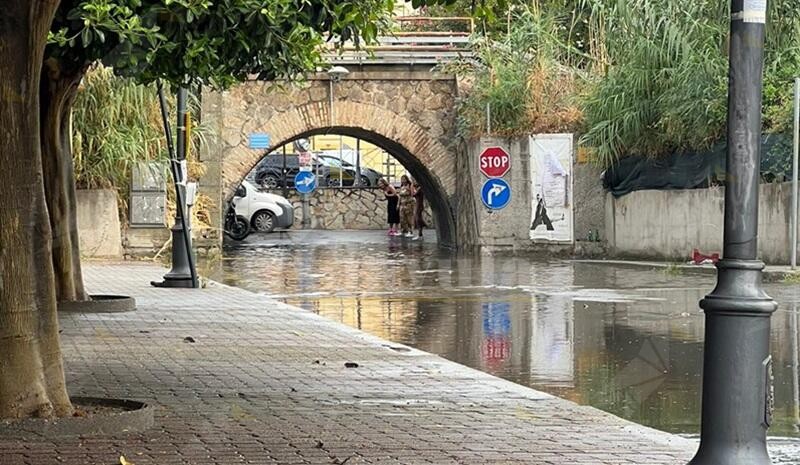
<point x="664" y="84"/>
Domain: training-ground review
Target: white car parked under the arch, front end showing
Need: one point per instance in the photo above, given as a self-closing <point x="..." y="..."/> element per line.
<point x="266" y="212"/>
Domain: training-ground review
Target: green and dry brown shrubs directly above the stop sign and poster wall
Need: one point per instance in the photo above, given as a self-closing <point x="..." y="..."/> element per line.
<point x="520" y="82"/>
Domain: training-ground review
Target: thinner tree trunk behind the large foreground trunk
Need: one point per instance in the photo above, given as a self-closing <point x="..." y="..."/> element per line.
<point x="58" y="90"/>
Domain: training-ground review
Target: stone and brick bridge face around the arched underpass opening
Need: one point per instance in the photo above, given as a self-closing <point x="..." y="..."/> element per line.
<point x="412" y="115"/>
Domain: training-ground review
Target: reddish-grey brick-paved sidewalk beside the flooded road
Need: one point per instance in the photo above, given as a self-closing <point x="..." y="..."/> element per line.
<point x="265" y="383"/>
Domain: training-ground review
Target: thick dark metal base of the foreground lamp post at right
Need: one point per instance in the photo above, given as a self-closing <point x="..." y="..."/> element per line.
<point x="737" y="368"/>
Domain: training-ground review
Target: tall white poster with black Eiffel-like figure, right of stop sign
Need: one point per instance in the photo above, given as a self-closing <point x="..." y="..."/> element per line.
<point x="551" y="175"/>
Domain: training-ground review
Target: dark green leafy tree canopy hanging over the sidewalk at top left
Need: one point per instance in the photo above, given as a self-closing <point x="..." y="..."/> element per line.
<point x="216" y="43"/>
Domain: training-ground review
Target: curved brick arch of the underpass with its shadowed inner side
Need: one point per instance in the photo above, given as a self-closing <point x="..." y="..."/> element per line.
<point x="428" y="160"/>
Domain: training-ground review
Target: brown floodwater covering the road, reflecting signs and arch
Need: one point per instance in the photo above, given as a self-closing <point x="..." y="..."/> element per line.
<point x="626" y="340"/>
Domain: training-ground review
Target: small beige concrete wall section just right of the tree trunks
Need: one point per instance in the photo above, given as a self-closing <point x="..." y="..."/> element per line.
<point x="98" y="224"/>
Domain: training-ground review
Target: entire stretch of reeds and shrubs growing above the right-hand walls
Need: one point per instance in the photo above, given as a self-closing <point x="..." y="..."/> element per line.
<point x="633" y="78"/>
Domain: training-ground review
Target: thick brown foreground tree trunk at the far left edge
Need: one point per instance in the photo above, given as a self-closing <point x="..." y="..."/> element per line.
<point x="31" y="370"/>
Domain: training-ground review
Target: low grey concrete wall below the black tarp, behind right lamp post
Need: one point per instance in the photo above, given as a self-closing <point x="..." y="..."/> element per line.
<point x="669" y="224"/>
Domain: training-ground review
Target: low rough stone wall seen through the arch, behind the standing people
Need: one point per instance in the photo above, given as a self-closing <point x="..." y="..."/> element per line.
<point x="344" y="208"/>
